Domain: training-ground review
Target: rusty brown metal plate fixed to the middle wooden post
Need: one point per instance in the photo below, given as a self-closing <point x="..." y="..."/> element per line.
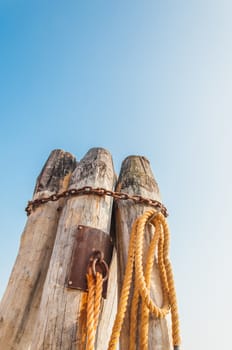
<point x="87" y="241"/>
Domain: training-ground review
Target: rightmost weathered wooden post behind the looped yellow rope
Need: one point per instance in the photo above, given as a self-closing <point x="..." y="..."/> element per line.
<point x="136" y="178"/>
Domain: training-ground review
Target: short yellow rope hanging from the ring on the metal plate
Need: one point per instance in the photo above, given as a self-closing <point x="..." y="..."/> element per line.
<point x="95" y="285"/>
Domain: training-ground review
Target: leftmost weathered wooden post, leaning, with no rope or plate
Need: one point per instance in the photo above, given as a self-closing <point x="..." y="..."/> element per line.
<point x="18" y="308"/>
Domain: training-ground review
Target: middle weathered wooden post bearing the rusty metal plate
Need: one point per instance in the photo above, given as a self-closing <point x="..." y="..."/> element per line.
<point x="62" y="310"/>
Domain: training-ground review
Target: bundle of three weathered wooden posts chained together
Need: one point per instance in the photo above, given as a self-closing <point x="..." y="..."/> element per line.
<point x="38" y="311"/>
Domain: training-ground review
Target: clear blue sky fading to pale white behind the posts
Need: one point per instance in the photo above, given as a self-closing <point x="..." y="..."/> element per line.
<point x="136" y="77"/>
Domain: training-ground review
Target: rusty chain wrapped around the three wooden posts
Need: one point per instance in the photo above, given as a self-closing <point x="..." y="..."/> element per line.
<point x="99" y="192"/>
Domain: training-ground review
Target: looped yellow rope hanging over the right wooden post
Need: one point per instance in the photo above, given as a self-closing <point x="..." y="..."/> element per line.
<point x="160" y="242"/>
